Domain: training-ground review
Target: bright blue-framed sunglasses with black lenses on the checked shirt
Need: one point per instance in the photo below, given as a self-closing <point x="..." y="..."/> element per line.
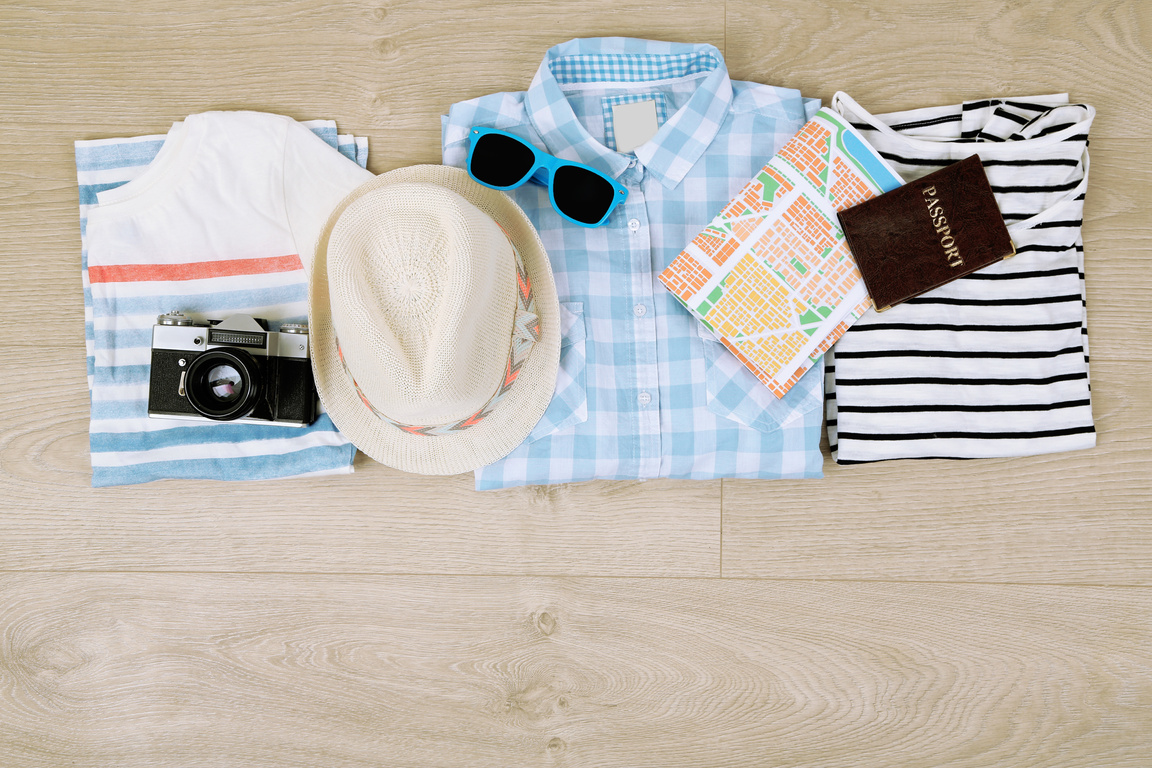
<point x="580" y="194"/>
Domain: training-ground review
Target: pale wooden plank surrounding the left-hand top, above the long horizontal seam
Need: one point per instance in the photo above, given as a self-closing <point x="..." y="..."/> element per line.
<point x="385" y="71"/>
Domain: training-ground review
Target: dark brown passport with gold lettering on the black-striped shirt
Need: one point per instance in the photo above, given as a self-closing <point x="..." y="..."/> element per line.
<point x="927" y="233"/>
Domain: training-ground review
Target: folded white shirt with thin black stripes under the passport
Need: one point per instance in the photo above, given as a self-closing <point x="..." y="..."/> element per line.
<point x="996" y="363"/>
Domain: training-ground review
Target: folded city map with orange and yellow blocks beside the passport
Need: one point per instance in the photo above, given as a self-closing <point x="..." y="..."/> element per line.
<point x="772" y="277"/>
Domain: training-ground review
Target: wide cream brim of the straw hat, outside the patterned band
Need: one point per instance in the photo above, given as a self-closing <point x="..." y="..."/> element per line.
<point x="519" y="410"/>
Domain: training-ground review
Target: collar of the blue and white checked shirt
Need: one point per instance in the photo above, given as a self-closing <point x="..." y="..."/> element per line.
<point x="681" y="140"/>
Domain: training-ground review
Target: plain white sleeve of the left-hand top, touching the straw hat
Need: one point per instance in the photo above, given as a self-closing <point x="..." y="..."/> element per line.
<point x="316" y="178"/>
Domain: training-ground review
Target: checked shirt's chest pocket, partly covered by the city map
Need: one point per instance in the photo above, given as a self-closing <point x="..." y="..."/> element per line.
<point x="734" y="393"/>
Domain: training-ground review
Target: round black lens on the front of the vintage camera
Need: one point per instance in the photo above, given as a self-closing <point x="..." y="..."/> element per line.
<point x="224" y="384"/>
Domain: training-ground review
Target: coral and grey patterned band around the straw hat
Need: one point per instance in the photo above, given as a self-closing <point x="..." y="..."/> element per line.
<point x="526" y="332"/>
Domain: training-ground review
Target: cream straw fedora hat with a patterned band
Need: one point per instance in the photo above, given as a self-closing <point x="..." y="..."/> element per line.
<point x="435" y="322"/>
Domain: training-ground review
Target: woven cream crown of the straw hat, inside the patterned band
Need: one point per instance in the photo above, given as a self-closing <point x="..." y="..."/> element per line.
<point x="423" y="294"/>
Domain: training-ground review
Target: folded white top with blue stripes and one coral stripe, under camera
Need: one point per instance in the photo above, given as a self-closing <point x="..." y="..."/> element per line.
<point x="216" y="218"/>
